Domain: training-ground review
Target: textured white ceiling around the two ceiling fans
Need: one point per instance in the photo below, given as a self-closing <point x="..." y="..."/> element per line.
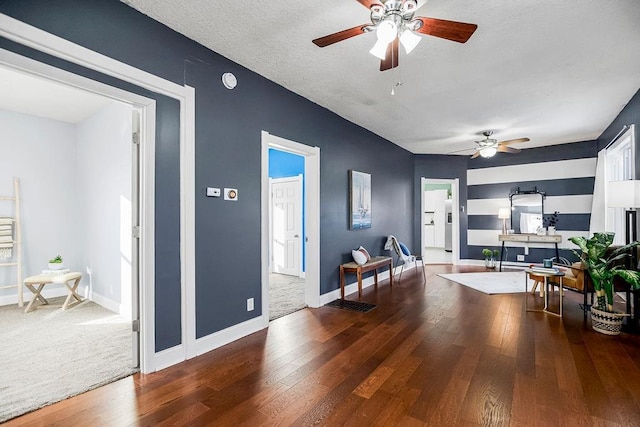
<point x="553" y="71"/>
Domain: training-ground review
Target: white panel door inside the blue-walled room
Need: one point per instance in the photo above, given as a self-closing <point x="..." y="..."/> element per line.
<point x="286" y="198"/>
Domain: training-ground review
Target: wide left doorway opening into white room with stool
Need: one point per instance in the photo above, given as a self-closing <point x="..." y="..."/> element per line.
<point x="75" y="167"/>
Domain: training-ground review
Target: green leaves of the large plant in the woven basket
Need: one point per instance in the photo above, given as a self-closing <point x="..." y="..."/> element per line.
<point x="604" y="268"/>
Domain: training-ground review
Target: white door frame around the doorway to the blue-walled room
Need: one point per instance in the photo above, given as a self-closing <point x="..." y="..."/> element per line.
<point x="312" y="217"/>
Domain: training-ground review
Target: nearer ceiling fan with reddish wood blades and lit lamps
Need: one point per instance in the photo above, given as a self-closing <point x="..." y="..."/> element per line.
<point x="394" y="23"/>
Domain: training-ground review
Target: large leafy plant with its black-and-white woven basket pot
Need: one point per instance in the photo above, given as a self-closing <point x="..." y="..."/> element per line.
<point x="603" y="266"/>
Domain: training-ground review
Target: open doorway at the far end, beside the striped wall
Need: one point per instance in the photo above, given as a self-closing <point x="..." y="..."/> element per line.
<point x="440" y="221"/>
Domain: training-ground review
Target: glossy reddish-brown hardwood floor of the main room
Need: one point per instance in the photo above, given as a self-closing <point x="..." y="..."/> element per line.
<point x="429" y="354"/>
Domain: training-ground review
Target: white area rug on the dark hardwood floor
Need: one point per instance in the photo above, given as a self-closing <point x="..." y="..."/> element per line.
<point x="491" y="282"/>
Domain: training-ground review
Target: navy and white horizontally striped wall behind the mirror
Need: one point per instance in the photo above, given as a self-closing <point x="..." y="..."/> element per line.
<point x="568" y="184"/>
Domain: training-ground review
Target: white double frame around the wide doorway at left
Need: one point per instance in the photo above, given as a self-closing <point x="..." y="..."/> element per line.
<point x="42" y="41"/>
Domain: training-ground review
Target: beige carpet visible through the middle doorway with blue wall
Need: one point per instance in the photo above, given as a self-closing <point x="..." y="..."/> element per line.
<point x="286" y="295"/>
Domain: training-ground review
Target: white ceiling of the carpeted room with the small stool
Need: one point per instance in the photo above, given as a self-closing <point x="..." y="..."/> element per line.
<point x="37" y="96"/>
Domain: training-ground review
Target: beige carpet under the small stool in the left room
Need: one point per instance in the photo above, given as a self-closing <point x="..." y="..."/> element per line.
<point x="48" y="354"/>
